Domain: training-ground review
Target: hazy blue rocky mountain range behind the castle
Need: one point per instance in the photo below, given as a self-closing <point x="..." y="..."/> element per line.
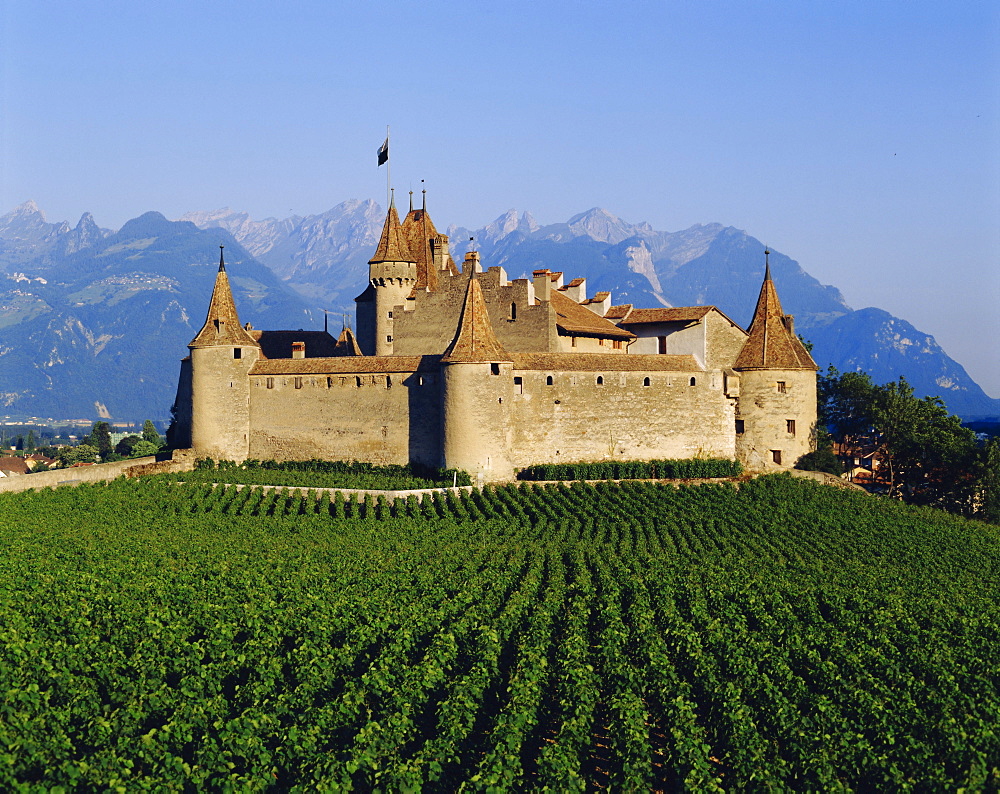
<point x="93" y="322"/>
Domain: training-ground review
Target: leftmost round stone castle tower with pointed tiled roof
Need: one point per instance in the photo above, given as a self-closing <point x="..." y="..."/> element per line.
<point x="222" y="354"/>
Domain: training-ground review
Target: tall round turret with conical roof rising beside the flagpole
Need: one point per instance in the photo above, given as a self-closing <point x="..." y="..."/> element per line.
<point x="392" y="274"/>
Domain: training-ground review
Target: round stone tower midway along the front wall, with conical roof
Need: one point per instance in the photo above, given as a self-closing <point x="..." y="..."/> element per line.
<point x="478" y="388"/>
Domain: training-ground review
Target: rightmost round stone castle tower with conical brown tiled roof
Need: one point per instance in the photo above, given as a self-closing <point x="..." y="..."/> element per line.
<point x="776" y="409"/>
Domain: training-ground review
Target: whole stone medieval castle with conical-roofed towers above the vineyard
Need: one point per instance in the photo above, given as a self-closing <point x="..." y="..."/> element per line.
<point x="466" y="368"/>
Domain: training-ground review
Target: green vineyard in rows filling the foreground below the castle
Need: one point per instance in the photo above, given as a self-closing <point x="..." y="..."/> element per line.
<point x="778" y="635"/>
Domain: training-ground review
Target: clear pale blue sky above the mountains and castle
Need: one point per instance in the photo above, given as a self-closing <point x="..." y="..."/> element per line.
<point x="860" y="138"/>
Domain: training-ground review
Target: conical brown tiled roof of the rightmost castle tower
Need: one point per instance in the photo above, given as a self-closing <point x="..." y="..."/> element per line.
<point x="772" y="342"/>
